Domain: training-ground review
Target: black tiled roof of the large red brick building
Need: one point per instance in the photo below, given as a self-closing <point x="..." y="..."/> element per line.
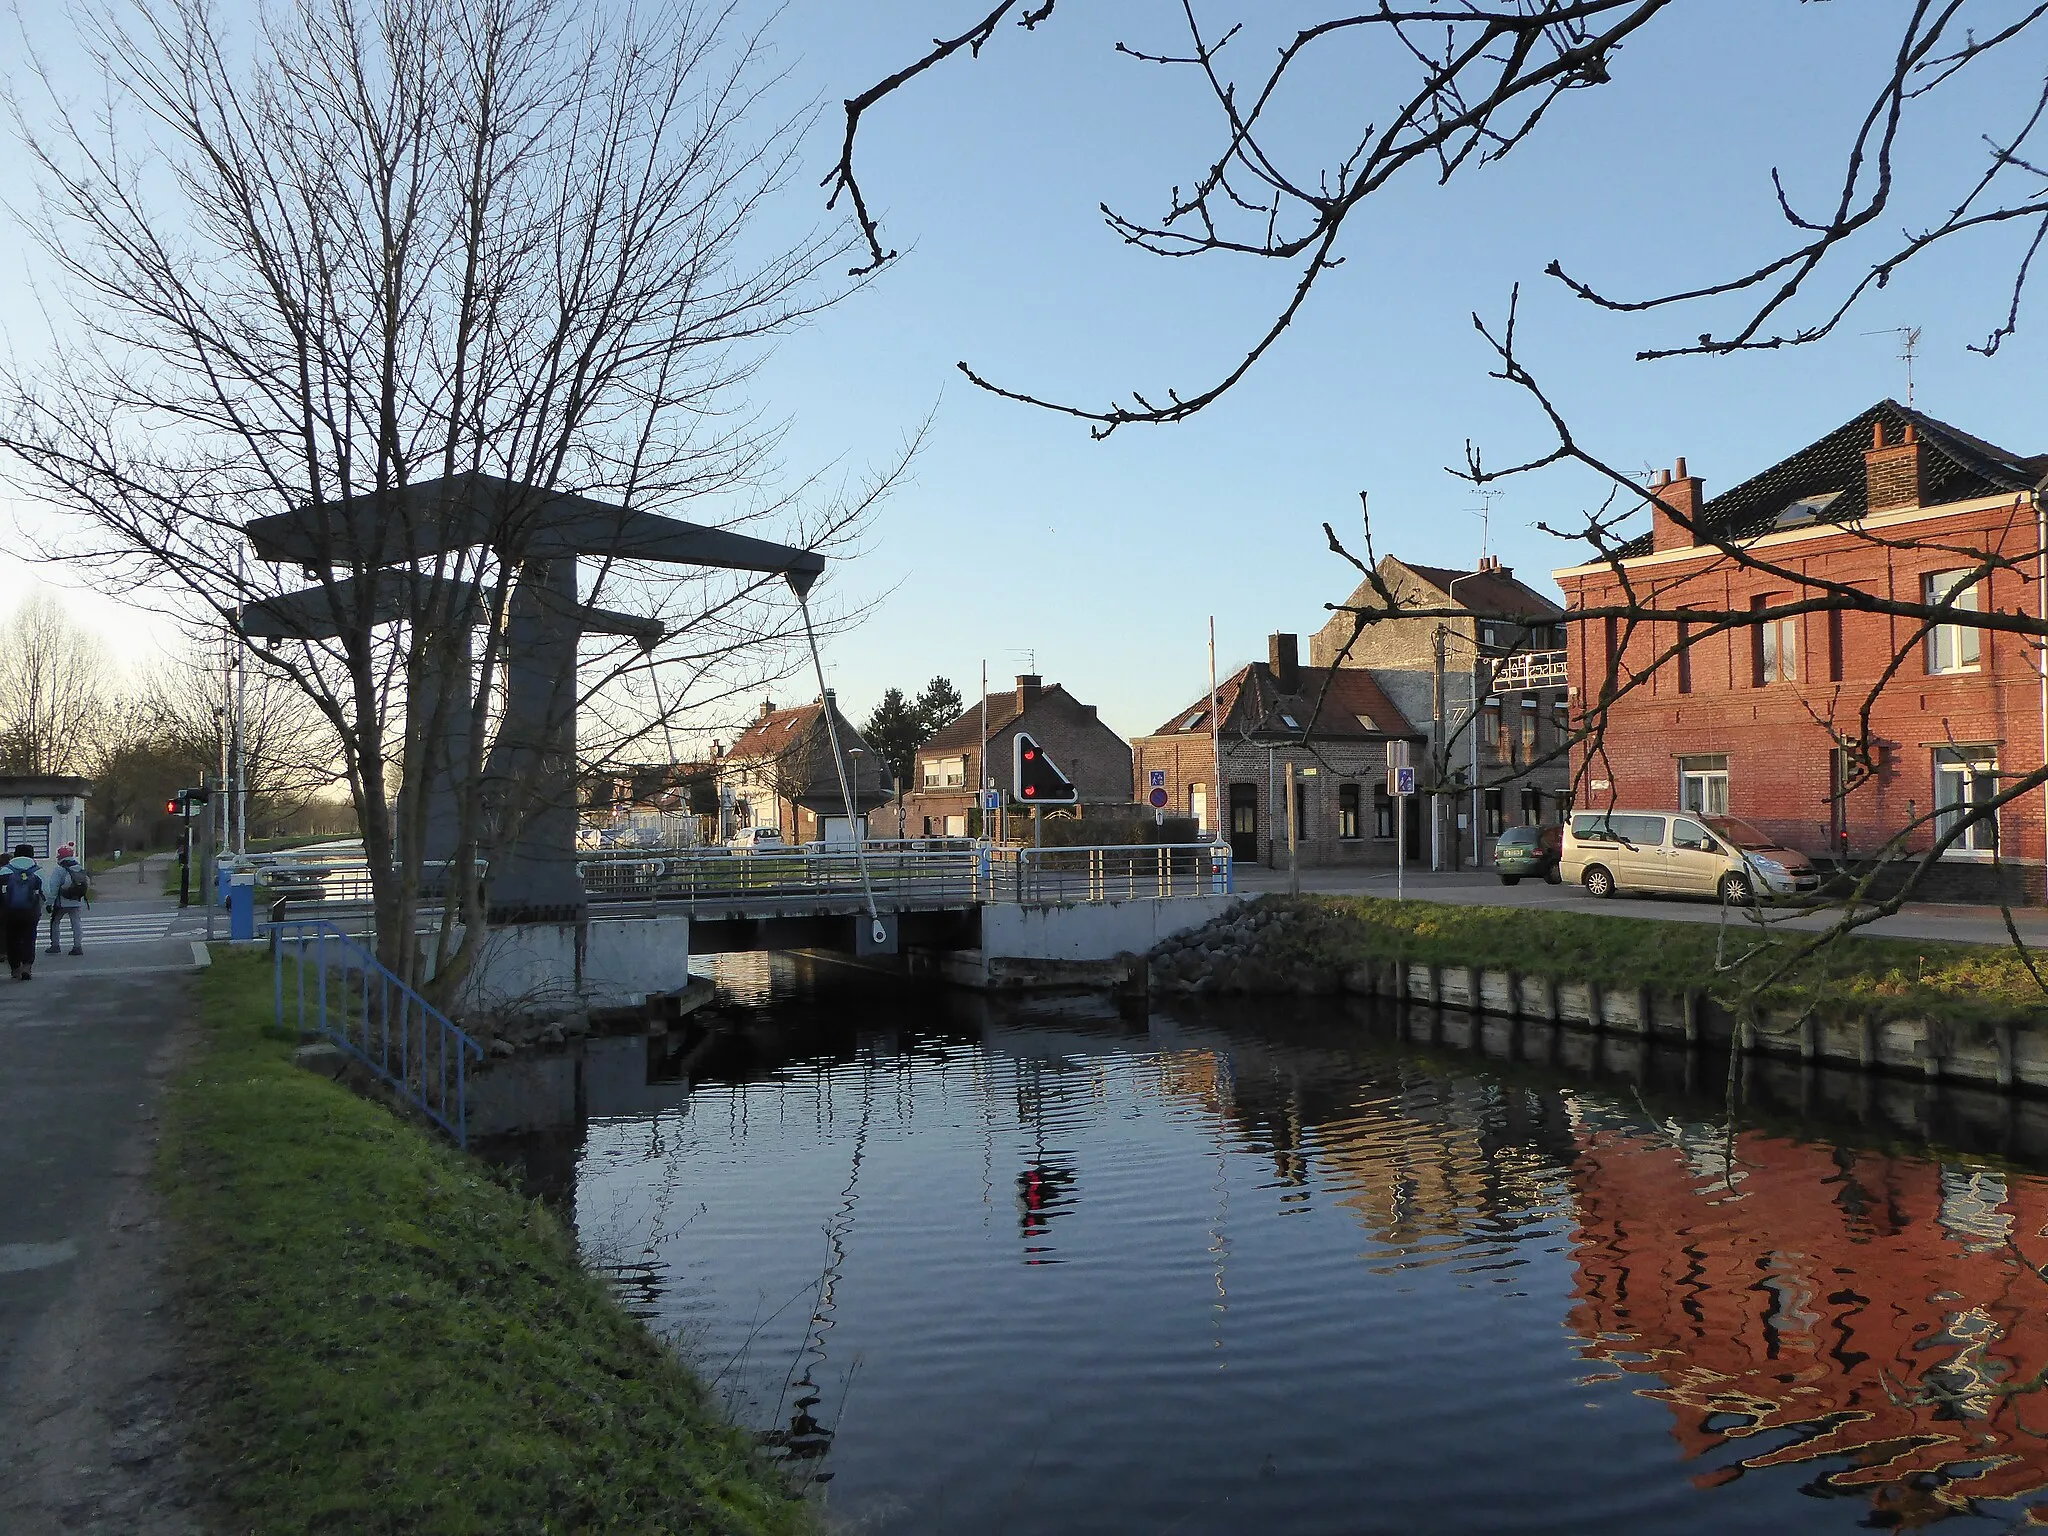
<point x="1957" y="468"/>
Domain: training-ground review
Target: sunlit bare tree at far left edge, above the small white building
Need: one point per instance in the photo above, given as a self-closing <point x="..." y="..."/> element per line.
<point x="54" y="689"/>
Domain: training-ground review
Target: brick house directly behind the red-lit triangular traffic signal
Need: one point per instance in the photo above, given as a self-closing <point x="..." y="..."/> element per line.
<point x="949" y="769"/>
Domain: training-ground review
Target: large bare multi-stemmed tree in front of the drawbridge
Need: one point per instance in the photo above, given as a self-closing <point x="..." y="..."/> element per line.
<point x="388" y="245"/>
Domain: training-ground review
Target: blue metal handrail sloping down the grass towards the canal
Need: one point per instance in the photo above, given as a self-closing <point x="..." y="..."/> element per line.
<point x="376" y="1017"/>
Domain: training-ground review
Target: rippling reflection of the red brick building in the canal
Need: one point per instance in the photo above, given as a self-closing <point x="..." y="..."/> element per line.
<point x="1811" y="1314"/>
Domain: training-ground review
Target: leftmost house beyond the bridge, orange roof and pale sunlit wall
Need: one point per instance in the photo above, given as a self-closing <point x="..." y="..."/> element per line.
<point x="779" y="773"/>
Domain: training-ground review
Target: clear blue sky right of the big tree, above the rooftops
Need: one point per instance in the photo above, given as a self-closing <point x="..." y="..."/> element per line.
<point x="1105" y="560"/>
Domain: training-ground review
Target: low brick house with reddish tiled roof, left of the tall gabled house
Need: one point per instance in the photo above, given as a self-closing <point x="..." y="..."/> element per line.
<point x="1334" y="728"/>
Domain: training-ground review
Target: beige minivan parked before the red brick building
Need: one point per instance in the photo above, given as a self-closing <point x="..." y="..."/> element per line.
<point x="1680" y="853"/>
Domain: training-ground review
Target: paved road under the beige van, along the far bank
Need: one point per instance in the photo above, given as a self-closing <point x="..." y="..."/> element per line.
<point x="1918" y="921"/>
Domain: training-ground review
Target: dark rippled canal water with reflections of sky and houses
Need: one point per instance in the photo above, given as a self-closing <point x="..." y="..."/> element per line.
<point x="1304" y="1267"/>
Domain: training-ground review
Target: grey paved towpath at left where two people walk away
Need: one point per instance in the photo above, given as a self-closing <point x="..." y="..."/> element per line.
<point x="87" y="1377"/>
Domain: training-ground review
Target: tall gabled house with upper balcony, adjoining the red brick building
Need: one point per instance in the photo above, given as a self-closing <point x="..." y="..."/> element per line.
<point x="1502" y="646"/>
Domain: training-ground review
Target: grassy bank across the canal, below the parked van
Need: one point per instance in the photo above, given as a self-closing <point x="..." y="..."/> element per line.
<point x="1881" y="978"/>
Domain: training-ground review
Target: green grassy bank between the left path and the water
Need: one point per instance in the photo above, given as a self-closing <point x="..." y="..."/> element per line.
<point x="398" y="1342"/>
